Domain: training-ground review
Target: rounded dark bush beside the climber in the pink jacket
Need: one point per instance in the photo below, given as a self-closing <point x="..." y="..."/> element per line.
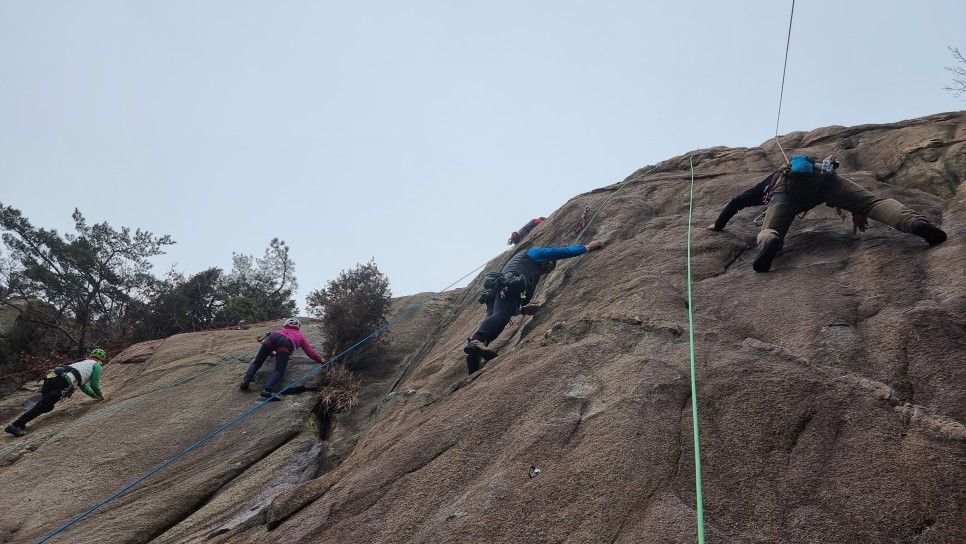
<point x="352" y="306"/>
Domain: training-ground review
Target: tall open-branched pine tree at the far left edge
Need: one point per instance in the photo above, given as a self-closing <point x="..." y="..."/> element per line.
<point x="91" y="277"/>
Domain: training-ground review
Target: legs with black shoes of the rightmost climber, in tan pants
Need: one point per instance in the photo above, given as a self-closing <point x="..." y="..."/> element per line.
<point x="799" y="192"/>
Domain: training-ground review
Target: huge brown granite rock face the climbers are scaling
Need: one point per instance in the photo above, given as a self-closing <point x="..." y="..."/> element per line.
<point x="831" y="391"/>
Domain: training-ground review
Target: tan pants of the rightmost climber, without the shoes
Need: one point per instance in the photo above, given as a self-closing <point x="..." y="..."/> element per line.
<point x="803" y="193"/>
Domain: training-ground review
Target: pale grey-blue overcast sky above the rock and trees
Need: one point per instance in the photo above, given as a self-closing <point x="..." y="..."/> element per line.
<point x="418" y="134"/>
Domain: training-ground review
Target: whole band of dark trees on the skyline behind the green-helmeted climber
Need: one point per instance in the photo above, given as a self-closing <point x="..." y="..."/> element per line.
<point x="98" y="288"/>
